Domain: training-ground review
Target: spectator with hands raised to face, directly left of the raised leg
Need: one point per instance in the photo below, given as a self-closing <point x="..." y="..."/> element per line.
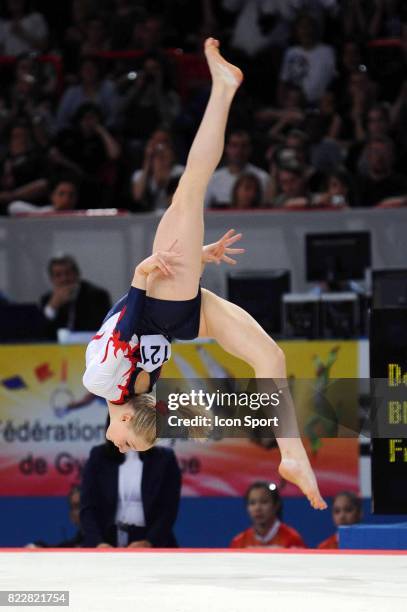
<point x="159" y="168"/>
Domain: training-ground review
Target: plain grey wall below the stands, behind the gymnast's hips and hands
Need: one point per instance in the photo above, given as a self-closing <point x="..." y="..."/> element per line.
<point x="108" y="248"/>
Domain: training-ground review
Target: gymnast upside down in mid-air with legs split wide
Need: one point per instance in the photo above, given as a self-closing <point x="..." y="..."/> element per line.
<point x="166" y="302"/>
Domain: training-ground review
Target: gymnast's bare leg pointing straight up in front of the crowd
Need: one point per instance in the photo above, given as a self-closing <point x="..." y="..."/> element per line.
<point x="183" y="220"/>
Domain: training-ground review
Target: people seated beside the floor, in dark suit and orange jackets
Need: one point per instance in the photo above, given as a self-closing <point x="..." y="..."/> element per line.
<point x="116" y="506"/>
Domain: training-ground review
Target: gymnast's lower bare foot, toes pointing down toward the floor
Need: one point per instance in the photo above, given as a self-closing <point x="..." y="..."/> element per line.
<point x="297" y="469"/>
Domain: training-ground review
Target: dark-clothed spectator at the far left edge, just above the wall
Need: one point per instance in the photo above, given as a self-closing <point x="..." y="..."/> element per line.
<point x="24" y="167"/>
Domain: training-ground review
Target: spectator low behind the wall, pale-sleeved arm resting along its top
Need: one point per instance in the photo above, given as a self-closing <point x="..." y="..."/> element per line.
<point x="63" y="195"/>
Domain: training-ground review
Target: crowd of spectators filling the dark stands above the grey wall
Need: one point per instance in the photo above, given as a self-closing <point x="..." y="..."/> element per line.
<point x="105" y="96"/>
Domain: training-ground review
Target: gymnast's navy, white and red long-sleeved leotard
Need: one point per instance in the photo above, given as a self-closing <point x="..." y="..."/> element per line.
<point x="136" y="336"/>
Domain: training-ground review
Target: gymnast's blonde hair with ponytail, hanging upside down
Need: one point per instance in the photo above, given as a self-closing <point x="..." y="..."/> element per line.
<point x="147" y="421"/>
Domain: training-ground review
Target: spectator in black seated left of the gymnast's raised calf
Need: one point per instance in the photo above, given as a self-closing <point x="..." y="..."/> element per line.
<point x="151" y="100"/>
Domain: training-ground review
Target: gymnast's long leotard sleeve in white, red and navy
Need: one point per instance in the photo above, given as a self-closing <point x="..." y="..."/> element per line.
<point x="113" y="353"/>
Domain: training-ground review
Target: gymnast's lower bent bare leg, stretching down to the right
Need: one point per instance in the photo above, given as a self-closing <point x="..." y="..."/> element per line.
<point x="238" y="333"/>
